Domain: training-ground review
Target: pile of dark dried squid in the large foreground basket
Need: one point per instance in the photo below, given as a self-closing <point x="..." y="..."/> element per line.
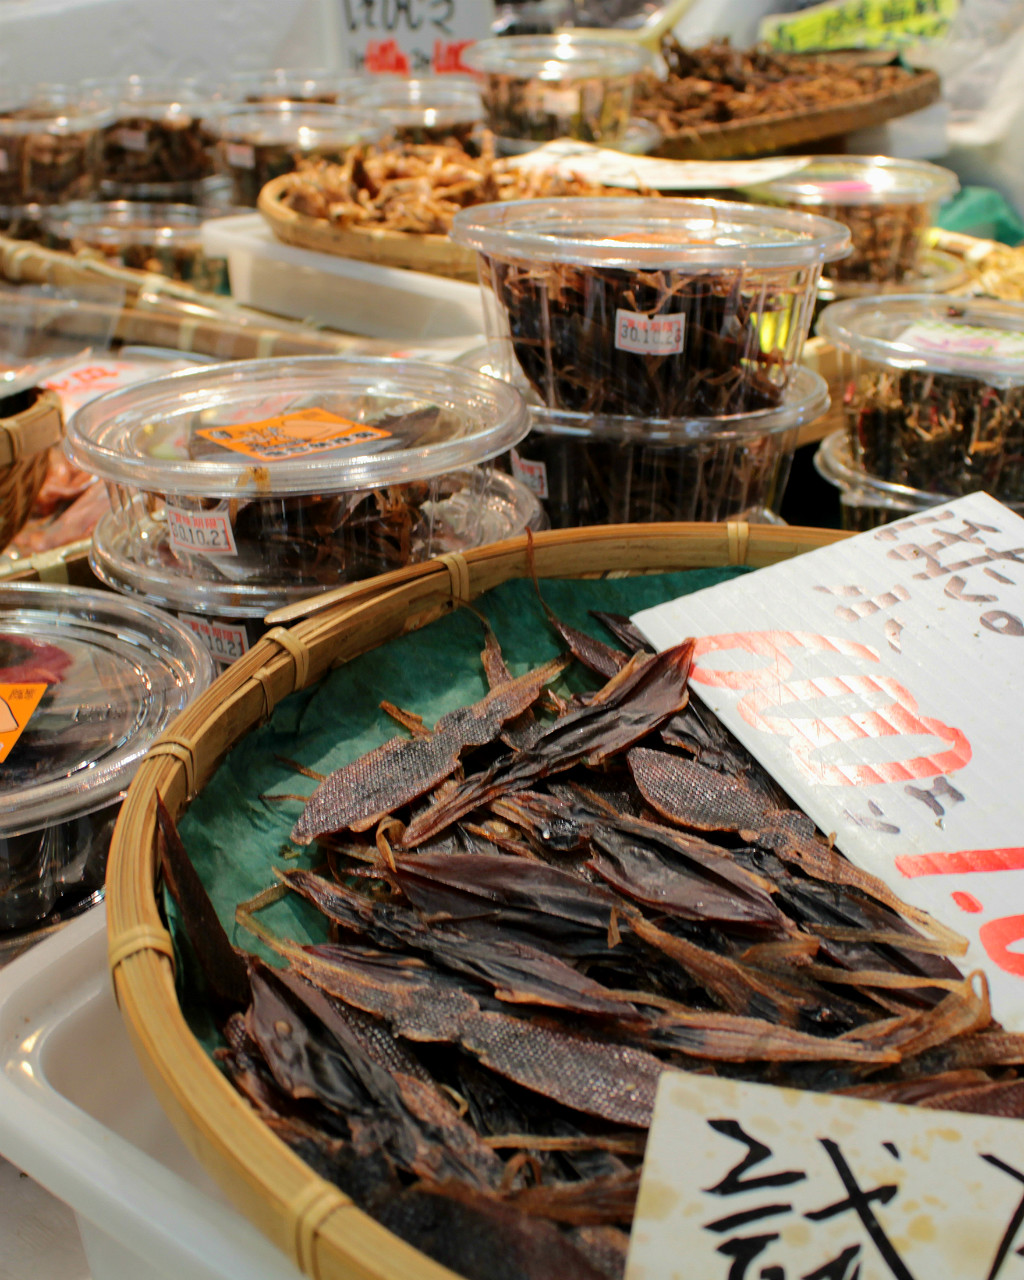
<point x="531" y="918"/>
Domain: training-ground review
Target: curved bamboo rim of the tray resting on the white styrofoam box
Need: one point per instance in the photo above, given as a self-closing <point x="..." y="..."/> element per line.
<point x="409" y="250"/>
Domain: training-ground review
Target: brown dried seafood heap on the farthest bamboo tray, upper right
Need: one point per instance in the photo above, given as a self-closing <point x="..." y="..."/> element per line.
<point x="717" y="84"/>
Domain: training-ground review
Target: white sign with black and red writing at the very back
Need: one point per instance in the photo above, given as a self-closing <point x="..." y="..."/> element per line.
<point x="410" y="38"/>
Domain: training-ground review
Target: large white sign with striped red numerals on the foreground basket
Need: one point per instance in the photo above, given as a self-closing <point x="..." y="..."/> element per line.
<point x="881" y="682"/>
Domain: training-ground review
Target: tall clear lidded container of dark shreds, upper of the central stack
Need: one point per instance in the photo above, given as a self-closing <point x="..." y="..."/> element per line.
<point x="648" y="308"/>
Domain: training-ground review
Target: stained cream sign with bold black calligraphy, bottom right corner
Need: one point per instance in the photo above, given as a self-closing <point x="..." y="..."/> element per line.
<point x="749" y="1181"/>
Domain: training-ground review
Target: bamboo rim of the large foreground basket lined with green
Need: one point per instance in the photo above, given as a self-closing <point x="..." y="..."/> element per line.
<point x="309" y="1219"/>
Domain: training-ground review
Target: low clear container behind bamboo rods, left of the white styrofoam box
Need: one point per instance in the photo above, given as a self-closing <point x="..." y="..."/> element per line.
<point x="163" y="239"/>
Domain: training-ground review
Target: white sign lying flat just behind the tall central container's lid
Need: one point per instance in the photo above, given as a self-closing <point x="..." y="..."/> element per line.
<point x="616" y="170"/>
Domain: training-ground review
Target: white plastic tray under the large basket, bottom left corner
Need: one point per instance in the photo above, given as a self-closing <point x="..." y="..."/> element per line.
<point x="79" y="1117"/>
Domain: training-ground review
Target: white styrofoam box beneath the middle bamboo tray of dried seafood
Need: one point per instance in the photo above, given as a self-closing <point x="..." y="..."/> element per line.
<point x="341" y="292"/>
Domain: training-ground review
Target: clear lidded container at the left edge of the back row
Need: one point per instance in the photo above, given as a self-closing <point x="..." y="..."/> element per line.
<point x="49" y="148"/>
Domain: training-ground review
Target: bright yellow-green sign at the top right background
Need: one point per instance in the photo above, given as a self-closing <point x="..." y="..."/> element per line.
<point x="860" y="25"/>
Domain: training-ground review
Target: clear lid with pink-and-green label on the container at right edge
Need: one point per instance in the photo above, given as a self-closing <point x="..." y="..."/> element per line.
<point x="976" y="339"/>
